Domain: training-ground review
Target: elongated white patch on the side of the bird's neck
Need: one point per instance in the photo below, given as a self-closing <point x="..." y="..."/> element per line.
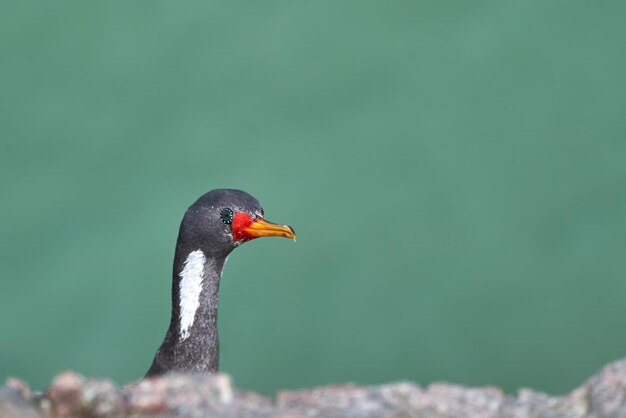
<point x="190" y="287"/>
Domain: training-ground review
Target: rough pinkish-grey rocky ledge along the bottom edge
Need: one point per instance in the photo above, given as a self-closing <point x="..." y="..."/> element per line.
<point x="71" y="395"/>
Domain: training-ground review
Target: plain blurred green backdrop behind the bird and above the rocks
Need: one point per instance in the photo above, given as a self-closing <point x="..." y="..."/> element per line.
<point x="455" y="172"/>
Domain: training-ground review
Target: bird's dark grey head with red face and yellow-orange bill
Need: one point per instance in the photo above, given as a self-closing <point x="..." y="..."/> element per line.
<point x="222" y="219"/>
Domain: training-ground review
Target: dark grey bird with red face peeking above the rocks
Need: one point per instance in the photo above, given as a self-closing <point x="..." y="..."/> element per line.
<point x="217" y="223"/>
